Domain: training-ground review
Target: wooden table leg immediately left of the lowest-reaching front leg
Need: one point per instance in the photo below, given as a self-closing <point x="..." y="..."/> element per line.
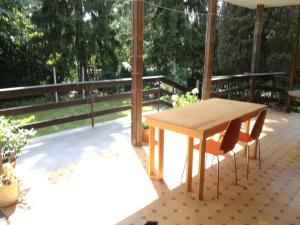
<point x="189" y="168"/>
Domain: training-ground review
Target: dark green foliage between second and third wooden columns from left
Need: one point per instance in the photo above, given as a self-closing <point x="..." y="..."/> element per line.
<point x="235" y="37"/>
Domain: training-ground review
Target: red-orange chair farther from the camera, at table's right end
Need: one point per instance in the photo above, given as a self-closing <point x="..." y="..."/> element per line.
<point x="254" y="135"/>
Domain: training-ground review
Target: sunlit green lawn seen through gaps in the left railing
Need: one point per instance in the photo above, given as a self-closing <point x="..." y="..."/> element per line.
<point x="75" y="110"/>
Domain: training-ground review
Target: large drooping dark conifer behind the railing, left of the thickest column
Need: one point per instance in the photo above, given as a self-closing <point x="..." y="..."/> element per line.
<point x="76" y="34"/>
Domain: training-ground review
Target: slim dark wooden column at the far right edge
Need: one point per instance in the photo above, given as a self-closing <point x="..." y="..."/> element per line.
<point x="294" y="63"/>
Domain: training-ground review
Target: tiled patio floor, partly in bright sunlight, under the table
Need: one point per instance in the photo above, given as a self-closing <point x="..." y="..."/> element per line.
<point x="94" y="176"/>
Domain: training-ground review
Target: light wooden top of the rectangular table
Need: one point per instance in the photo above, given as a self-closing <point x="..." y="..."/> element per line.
<point x="207" y="116"/>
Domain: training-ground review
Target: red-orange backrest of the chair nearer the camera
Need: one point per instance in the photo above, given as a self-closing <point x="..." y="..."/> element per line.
<point x="231" y="135"/>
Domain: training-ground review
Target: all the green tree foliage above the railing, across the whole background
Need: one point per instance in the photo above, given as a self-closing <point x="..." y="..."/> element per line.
<point x="36" y="35"/>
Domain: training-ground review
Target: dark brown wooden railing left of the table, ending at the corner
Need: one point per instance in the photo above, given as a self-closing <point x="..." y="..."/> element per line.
<point x="92" y="89"/>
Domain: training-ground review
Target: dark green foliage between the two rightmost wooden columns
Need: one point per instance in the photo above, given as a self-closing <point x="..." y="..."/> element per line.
<point x="279" y="30"/>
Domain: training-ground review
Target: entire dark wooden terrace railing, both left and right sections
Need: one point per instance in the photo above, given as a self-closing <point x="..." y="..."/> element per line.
<point x="270" y="88"/>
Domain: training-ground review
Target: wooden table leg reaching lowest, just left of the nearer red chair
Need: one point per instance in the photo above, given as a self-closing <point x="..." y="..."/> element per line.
<point x="201" y="168"/>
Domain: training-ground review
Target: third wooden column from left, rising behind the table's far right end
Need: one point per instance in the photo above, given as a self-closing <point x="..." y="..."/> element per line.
<point x="256" y="48"/>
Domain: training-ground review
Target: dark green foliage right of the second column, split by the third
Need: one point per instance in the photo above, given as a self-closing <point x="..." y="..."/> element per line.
<point x="236" y="27"/>
